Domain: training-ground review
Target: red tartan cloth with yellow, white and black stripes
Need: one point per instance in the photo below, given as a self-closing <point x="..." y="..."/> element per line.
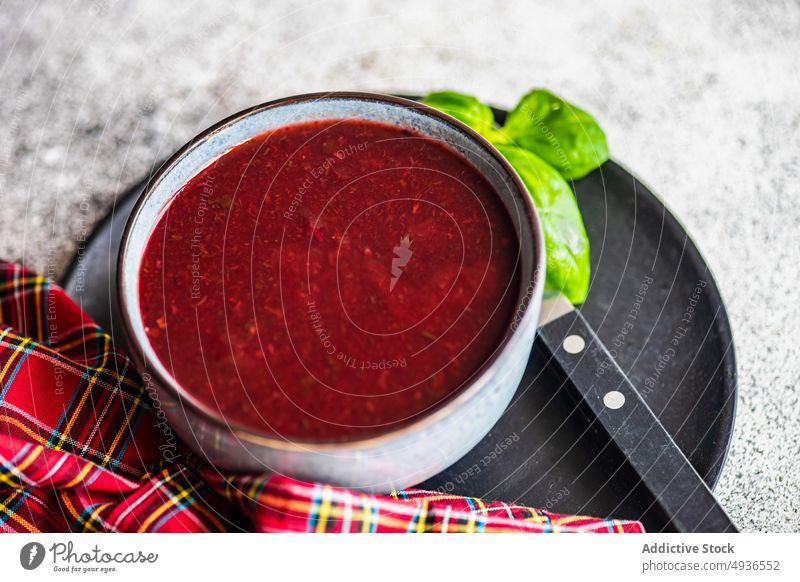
<point x="81" y="450"/>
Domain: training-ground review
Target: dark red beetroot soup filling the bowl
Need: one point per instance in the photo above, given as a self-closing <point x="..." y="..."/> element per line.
<point x="330" y="279"/>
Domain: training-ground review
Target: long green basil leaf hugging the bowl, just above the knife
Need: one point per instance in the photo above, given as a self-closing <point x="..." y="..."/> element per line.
<point x="565" y="239"/>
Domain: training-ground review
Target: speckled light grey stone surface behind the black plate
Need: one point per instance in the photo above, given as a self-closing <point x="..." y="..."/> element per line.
<point x="702" y="101"/>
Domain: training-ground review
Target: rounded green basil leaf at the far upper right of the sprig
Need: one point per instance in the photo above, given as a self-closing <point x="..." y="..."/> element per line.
<point x="563" y="135"/>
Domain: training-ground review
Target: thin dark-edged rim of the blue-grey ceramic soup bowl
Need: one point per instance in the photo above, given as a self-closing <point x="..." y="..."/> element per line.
<point x="526" y="296"/>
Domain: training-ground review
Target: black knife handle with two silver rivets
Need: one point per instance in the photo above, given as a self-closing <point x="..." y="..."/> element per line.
<point x="611" y="400"/>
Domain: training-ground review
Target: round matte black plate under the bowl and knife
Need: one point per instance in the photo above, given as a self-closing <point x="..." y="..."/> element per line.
<point x="672" y="338"/>
